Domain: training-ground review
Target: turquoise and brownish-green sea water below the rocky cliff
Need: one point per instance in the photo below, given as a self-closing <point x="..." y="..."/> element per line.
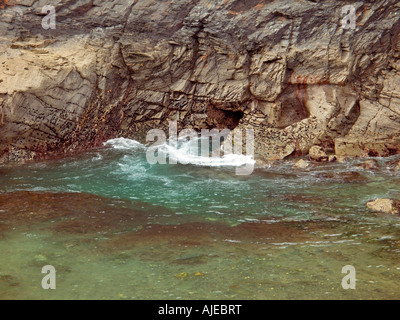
<point x="116" y="227"/>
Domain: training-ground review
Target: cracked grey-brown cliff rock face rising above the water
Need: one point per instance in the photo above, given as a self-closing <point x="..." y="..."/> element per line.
<point x="289" y="70"/>
